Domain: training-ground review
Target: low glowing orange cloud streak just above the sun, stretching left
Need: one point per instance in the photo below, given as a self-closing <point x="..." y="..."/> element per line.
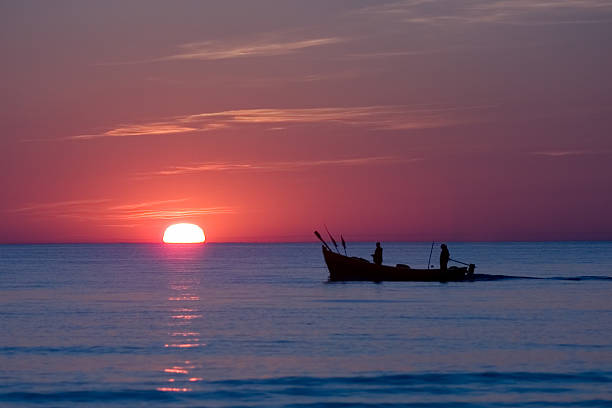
<point x="101" y="210"/>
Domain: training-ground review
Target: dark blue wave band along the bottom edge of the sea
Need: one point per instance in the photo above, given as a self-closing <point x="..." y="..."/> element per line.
<point x="440" y="389"/>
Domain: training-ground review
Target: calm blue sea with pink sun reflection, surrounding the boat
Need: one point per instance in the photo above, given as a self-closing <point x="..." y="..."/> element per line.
<point x="228" y="325"/>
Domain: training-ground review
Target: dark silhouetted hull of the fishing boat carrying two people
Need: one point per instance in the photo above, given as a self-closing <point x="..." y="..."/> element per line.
<point x="344" y="268"/>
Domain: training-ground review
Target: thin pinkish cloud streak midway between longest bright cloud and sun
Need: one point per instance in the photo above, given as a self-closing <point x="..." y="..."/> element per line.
<point x="277" y="166"/>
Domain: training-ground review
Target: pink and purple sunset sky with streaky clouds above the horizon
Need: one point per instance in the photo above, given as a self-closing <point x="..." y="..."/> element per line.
<point x="261" y="121"/>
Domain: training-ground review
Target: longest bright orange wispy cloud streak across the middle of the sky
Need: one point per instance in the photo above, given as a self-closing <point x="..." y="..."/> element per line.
<point x="376" y="117"/>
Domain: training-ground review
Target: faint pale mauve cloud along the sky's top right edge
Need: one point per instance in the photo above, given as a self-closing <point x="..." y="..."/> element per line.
<point x="522" y="12"/>
